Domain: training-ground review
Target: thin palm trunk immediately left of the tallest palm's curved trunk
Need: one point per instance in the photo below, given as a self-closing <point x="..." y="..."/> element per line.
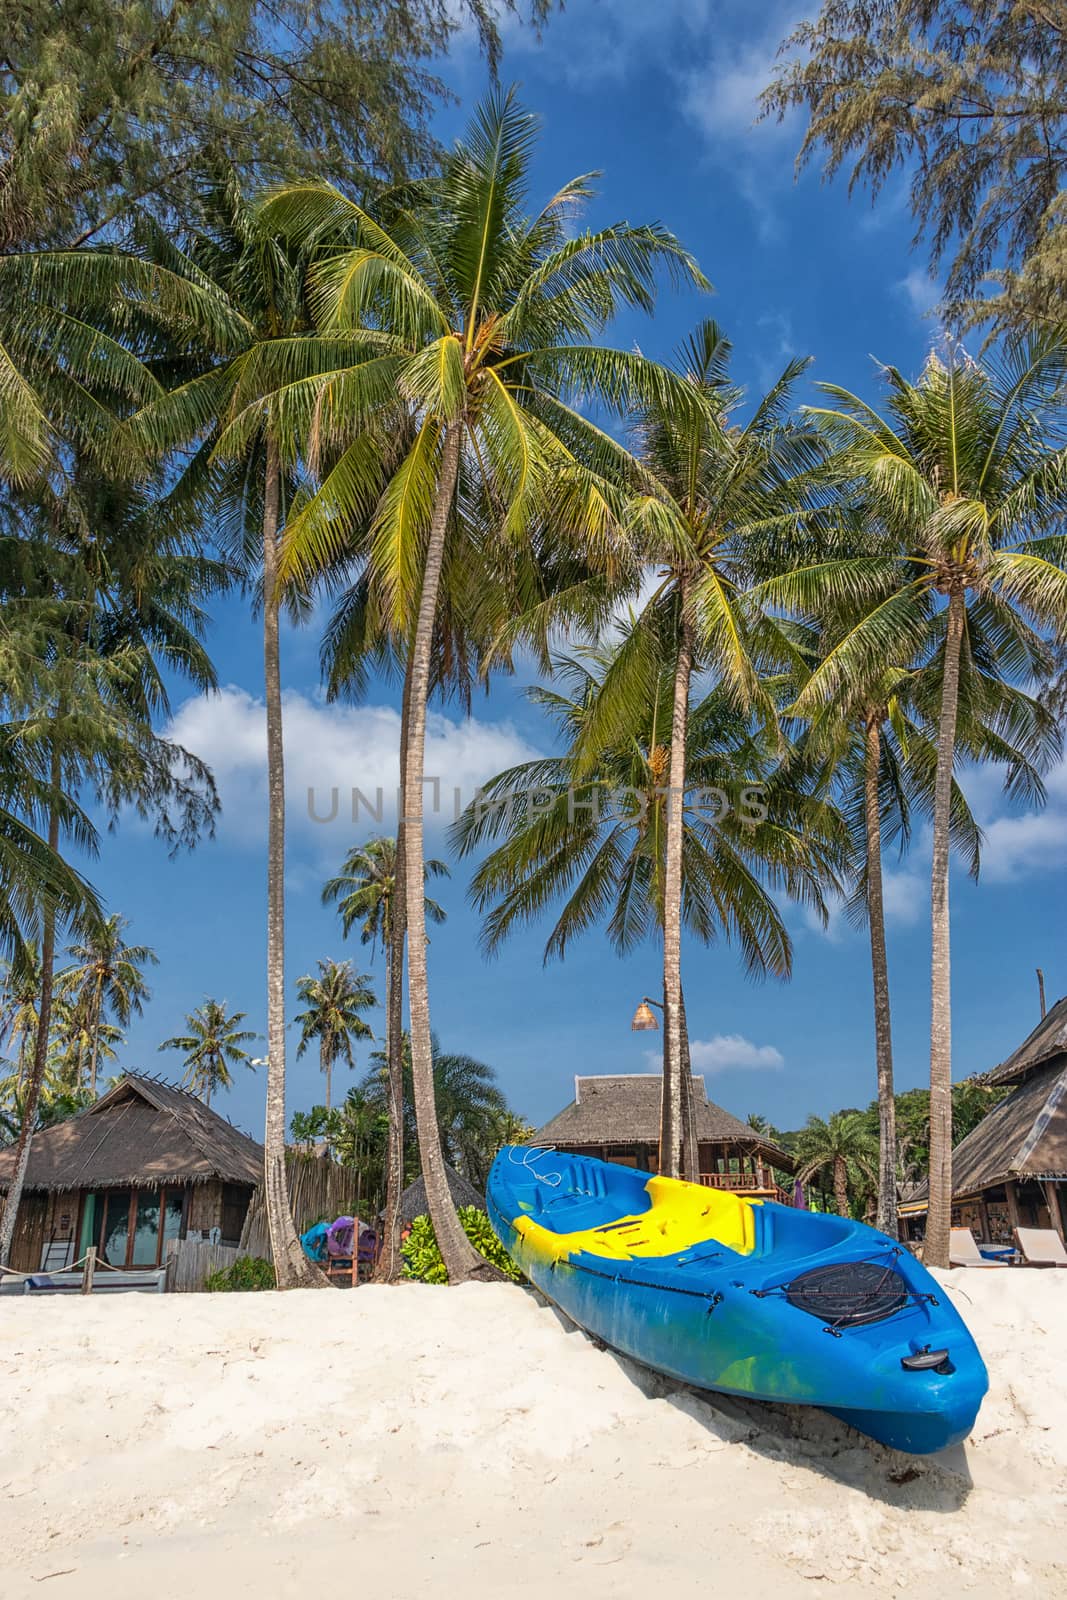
<point x="391" y="1262"/>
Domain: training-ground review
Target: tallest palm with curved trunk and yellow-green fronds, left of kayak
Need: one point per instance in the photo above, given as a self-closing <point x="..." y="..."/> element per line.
<point x="478" y="319"/>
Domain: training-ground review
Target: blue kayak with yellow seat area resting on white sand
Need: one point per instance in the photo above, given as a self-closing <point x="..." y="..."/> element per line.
<point x="745" y="1297"/>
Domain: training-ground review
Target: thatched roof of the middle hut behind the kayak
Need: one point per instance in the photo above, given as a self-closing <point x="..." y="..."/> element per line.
<point x="625" y="1110"/>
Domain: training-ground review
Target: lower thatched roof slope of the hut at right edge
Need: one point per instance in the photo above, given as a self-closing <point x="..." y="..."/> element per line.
<point x="1025" y="1137"/>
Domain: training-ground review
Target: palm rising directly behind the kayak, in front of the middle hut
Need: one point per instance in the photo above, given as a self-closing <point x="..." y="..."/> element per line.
<point x="708" y="487"/>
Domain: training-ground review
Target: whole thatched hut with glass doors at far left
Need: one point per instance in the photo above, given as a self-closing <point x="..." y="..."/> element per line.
<point x="142" y="1167"/>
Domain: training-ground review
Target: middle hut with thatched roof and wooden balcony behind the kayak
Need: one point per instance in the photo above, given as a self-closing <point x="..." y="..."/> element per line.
<point x="617" y="1119"/>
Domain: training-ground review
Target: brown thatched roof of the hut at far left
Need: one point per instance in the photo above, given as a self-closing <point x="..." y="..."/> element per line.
<point x="143" y="1132"/>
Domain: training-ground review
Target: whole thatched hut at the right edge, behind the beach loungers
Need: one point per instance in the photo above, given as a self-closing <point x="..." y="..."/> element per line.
<point x="1012" y="1170"/>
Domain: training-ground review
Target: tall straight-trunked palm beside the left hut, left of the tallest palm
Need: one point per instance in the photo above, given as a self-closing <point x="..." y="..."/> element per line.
<point x="249" y="324"/>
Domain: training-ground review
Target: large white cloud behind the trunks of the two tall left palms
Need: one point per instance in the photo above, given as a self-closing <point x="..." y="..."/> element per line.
<point x="329" y="748"/>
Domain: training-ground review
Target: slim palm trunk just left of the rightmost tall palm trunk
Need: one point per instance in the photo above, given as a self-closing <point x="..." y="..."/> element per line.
<point x="881" y="977"/>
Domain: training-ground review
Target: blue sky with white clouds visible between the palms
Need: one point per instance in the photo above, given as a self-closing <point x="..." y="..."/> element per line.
<point x="661" y="98"/>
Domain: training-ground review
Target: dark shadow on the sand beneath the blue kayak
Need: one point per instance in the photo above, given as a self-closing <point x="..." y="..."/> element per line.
<point x="804" y="1438"/>
